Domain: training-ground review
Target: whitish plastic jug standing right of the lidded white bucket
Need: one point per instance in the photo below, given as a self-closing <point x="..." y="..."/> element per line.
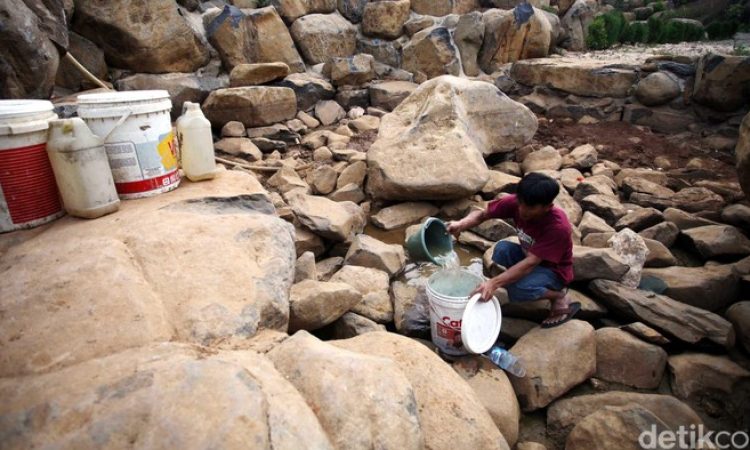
<point x="196" y="143"/>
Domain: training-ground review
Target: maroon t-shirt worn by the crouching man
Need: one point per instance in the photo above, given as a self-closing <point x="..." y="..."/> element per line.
<point x="549" y="237"/>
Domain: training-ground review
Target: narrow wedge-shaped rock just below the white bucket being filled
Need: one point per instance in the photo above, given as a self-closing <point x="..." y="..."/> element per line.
<point x="494" y="390"/>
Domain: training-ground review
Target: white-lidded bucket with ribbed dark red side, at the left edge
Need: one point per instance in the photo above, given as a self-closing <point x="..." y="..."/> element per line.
<point x="28" y="193"/>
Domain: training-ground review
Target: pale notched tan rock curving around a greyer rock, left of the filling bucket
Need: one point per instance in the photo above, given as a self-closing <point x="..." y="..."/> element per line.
<point x="373" y="284"/>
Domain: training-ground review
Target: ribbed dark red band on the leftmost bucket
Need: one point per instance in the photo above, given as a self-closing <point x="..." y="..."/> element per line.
<point x="28" y="184"/>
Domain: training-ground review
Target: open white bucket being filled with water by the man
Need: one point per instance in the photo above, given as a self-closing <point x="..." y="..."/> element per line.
<point x="448" y="293"/>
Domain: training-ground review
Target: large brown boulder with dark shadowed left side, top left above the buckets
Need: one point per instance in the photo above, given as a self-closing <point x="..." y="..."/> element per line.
<point x="150" y="37"/>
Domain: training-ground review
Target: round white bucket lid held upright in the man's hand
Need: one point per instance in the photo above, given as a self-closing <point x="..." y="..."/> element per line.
<point x="480" y="324"/>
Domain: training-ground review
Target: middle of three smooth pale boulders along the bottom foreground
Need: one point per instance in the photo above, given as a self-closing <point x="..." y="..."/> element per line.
<point x="361" y="401"/>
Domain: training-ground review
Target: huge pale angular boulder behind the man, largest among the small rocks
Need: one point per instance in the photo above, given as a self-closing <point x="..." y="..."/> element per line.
<point x="432" y="146"/>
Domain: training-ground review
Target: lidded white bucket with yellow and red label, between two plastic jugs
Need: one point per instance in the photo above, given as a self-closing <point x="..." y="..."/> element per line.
<point x="137" y="131"/>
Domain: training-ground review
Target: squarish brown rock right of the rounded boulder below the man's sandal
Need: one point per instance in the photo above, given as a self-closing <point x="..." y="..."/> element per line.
<point x="616" y="350"/>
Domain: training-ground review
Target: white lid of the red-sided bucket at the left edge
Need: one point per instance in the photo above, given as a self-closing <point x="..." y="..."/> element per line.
<point x="25" y="116"/>
